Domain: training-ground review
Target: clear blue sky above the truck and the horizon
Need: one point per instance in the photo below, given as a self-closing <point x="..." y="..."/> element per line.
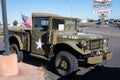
<point x="82" y="9"/>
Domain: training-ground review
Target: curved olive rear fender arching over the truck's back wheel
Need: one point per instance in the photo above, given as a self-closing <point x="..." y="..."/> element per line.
<point x="18" y="39"/>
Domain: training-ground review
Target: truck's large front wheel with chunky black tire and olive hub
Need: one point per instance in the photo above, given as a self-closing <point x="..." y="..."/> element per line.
<point x="65" y="63"/>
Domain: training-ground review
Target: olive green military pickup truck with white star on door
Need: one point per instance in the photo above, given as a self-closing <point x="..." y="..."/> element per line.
<point x="57" y="39"/>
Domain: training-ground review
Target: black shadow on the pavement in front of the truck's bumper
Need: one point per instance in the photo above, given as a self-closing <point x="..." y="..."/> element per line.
<point x="100" y="73"/>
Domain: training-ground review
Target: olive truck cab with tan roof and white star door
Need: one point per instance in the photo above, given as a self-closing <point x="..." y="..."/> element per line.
<point x="48" y="30"/>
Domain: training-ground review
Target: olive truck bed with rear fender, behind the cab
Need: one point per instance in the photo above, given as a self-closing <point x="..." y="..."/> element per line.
<point x="21" y="36"/>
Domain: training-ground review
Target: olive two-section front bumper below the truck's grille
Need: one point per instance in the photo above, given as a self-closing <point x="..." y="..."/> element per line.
<point x="99" y="59"/>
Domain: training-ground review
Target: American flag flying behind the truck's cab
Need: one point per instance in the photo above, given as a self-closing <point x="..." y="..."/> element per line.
<point x="27" y="21"/>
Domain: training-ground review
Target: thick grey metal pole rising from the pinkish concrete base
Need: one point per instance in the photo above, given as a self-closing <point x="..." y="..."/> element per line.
<point x="4" y="14"/>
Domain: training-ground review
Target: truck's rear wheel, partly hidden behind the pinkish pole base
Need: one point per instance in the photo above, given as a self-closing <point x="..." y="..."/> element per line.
<point x="14" y="49"/>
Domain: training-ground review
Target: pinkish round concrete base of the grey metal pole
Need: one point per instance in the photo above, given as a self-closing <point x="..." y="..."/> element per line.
<point x="8" y="65"/>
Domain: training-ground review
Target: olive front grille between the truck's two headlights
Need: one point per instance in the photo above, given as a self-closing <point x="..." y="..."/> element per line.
<point x="95" y="44"/>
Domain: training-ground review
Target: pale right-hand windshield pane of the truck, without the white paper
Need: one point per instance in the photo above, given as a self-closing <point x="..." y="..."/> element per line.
<point x="70" y="24"/>
